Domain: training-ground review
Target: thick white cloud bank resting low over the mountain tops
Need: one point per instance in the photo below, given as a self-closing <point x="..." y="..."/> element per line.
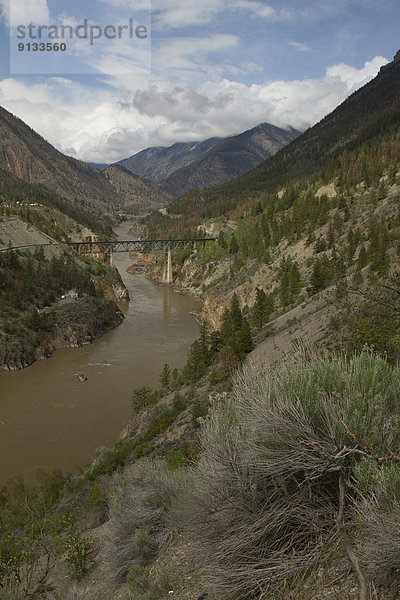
<point x="112" y="122"/>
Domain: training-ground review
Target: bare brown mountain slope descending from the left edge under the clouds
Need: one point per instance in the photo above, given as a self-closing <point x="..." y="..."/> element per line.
<point x="27" y="157"/>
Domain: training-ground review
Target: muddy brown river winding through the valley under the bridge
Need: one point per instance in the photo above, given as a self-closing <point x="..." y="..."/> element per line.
<point x="49" y="419"/>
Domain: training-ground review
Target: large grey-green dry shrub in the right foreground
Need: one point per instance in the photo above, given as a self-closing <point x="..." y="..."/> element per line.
<point x="263" y="502"/>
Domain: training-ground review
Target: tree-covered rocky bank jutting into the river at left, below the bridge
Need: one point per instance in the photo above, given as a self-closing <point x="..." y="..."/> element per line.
<point x="52" y="302"/>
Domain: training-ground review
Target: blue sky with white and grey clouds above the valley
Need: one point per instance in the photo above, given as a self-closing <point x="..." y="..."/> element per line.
<point x="151" y="73"/>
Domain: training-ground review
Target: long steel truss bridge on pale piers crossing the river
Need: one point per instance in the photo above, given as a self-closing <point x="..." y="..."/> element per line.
<point x="142" y="246"/>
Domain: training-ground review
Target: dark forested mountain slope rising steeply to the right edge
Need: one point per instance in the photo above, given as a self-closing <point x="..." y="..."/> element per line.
<point x="349" y="142"/>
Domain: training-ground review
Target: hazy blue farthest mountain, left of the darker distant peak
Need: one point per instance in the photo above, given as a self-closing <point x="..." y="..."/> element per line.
<point x="158" y="163"/>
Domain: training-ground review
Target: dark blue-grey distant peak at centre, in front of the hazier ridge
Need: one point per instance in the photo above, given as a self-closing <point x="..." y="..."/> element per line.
<point x="230" y="158"/>
